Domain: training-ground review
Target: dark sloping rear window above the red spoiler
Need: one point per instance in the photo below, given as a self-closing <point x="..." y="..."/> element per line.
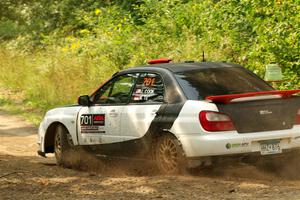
<point x="198" y="84"/>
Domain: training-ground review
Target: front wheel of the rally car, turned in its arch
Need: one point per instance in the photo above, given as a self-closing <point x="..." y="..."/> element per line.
<point x="63" y="146"/>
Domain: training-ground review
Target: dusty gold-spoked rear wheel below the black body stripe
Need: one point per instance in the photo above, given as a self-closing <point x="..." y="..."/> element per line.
<point x="169" y="155"/>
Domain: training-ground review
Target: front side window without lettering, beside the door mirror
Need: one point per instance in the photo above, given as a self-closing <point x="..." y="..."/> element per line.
<point x="116" y="91"/>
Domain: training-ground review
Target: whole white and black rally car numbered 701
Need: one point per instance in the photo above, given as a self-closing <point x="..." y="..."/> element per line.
<point x="178" y="114"/>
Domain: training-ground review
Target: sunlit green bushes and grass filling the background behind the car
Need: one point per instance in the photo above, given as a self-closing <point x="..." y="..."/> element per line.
<point x="60" y="49"/>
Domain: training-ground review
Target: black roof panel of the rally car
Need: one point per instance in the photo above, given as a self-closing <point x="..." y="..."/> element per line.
<point x="184" y="66"/>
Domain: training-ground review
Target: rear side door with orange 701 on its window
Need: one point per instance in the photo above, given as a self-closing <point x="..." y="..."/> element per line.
<point x="146" y="100"/>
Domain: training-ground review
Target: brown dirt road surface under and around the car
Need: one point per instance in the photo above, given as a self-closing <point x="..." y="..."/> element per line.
<point x="24" y="175"/>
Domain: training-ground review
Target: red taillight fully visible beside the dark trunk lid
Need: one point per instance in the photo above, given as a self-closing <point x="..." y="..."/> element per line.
<point x="214" y="121"/>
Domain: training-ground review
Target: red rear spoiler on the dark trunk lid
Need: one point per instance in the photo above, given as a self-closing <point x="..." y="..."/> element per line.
<point x="225" y="99"/>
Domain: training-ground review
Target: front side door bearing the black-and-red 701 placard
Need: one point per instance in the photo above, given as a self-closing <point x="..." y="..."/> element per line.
<point x="101" y="122"/>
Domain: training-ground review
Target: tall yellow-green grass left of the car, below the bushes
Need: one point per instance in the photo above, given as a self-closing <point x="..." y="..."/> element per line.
<point x="34" y="83"/>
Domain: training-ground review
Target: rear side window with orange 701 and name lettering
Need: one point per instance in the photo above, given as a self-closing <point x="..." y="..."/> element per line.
<point x="149" y="88"/>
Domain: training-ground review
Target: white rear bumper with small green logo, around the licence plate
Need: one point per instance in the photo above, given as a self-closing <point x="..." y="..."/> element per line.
<point x="231" y="142"/>
